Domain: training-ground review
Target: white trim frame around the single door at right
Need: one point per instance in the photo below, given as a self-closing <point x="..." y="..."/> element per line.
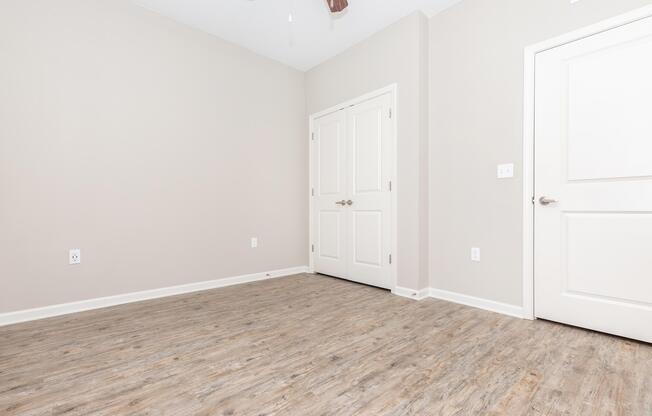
<point x="528" y="135"/>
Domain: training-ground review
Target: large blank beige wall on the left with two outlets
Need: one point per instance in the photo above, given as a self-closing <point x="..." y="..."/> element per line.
<point x="156" y="149"/>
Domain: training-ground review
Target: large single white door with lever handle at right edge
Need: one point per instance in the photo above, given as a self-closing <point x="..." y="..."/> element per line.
<point x="593" y="157"/>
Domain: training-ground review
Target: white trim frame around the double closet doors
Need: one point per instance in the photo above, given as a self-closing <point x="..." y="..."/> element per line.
<point x="391" y="89"/>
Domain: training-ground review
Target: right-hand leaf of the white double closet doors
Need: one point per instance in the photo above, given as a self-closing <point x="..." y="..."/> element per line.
<point x="368" y="179"/>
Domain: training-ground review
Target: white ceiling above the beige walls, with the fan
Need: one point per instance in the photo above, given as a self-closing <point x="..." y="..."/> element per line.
<point x="314" y="35"/>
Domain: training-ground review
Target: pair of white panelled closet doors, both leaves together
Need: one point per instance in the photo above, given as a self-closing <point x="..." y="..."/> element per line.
<point x="352" y="167"/>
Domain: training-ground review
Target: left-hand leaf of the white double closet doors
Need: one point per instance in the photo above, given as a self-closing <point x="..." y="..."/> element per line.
<point x="330" y="194"/>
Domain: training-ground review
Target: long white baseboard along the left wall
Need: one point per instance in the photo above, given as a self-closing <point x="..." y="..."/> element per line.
<point x="85" y="305"/>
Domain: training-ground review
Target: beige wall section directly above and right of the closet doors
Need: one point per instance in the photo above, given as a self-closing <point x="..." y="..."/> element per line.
<point x="398" y="55"/>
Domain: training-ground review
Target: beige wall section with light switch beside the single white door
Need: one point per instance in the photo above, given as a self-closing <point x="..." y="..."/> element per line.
<point x="476" y="101"/>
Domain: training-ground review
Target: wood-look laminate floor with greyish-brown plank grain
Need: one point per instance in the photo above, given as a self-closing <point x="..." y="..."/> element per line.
<point x="305" y="345"/>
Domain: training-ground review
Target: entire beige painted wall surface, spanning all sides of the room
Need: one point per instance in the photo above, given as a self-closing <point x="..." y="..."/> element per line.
<point x="130" y="136"/>
